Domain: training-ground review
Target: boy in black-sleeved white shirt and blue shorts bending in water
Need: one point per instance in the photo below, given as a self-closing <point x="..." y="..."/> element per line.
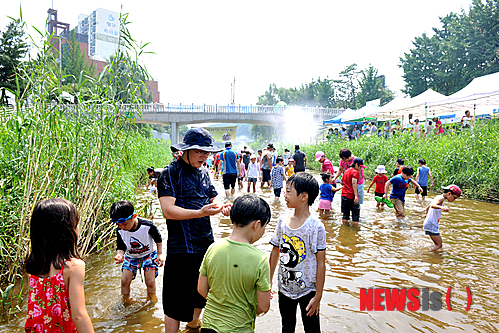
<point x="137" y="239"/>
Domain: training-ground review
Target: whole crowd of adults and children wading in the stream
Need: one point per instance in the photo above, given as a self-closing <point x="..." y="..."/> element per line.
<point x="229" y="278"/>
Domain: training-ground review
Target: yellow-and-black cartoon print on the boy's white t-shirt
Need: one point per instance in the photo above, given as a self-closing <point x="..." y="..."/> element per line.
<point x="293" y="252"/>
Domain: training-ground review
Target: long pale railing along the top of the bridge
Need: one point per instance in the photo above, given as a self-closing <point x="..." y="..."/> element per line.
<point x="149" y="108"/>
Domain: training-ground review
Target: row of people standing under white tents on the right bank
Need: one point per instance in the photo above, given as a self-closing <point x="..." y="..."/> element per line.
<point x="392" y="128"/>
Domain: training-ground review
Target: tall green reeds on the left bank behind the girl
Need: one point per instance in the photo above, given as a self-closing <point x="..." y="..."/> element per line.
<point x="91" y="155"/>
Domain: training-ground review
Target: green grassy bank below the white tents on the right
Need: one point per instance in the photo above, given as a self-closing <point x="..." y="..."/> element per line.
<point x="468" y="159"/>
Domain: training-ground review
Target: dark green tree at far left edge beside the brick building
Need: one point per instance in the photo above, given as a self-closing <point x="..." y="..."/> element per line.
<point x="13" y="48"/>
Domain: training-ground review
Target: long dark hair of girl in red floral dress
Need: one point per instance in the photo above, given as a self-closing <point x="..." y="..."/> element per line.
<point x="53" y="235"/>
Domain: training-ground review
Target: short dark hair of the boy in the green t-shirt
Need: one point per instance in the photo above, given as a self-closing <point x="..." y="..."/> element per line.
<point x="249" y="208"/>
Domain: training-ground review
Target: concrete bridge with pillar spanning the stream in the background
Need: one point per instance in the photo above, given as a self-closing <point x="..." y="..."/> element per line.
<point x="188" y="114"/>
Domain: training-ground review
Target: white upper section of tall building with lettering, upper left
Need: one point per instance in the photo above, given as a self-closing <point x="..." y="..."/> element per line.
<point x="102" y="28"/>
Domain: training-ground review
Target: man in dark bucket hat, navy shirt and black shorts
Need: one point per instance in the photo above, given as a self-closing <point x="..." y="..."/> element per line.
<point x="186" y="197"/>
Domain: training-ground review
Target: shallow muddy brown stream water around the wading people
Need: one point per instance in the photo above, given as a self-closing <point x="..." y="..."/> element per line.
<point x="380" y="253"/>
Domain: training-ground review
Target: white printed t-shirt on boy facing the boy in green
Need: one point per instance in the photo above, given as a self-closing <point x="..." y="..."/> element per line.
<point x="297" y="258"/>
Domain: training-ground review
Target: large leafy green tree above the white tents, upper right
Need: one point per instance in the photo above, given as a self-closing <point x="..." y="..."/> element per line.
<point x="465" y="47"/>
